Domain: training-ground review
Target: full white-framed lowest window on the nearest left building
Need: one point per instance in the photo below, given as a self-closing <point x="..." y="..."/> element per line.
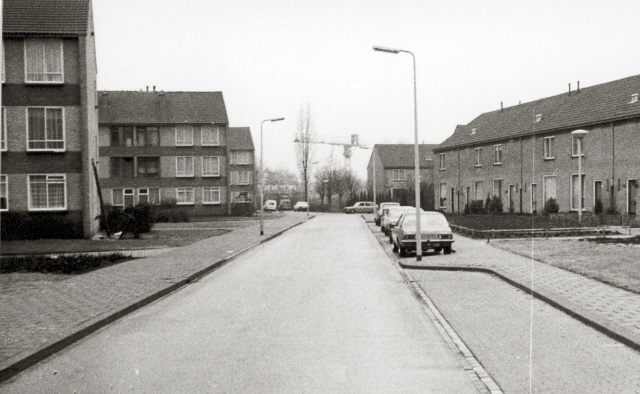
<point x="47" y="192"/>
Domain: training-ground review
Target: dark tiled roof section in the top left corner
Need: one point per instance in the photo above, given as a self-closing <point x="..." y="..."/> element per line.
<point x="50" y="17"/>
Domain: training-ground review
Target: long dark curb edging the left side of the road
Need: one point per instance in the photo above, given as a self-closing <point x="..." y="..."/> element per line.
<point x="102" y="321"/>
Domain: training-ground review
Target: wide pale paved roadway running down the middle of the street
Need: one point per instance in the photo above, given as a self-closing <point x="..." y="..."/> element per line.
<point x="319" y="309"/>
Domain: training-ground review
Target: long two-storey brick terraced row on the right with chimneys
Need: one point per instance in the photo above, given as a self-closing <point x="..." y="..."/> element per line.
<point x="526" y="154"/>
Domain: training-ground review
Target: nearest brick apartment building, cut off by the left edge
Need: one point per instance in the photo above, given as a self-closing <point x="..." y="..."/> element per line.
<point x="49" y="127"/>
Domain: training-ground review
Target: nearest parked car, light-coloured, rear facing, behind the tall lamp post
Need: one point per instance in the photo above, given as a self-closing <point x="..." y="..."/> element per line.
<point x="434" y="229"/>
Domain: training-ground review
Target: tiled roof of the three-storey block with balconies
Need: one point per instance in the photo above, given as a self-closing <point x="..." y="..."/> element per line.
<point x="161" y="107"/>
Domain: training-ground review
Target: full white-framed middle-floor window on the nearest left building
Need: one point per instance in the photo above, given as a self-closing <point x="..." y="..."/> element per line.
<point x="45" y="128"/>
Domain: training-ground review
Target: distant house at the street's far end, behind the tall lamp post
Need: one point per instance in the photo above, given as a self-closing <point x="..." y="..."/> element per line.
<point x="393" y="168"/>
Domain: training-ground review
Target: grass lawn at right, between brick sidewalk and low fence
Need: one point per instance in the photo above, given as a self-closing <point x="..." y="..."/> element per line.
<point x="614" y="264"/>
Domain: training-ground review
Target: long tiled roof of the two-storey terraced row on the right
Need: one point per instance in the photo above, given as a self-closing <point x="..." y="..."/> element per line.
<point x="589" y="106"/>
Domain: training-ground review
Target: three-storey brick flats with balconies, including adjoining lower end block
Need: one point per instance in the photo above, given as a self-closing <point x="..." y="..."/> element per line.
<point x="172" y="147"/>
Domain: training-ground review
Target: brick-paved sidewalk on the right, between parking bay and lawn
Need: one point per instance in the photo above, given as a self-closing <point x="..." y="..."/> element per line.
<point x="610" y="310"/>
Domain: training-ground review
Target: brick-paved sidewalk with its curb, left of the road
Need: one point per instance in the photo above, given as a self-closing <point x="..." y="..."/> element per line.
<point x="40" y="319"/>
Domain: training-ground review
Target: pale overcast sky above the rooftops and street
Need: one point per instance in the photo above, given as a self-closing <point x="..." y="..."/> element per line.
<point x="270" y="58"/>
